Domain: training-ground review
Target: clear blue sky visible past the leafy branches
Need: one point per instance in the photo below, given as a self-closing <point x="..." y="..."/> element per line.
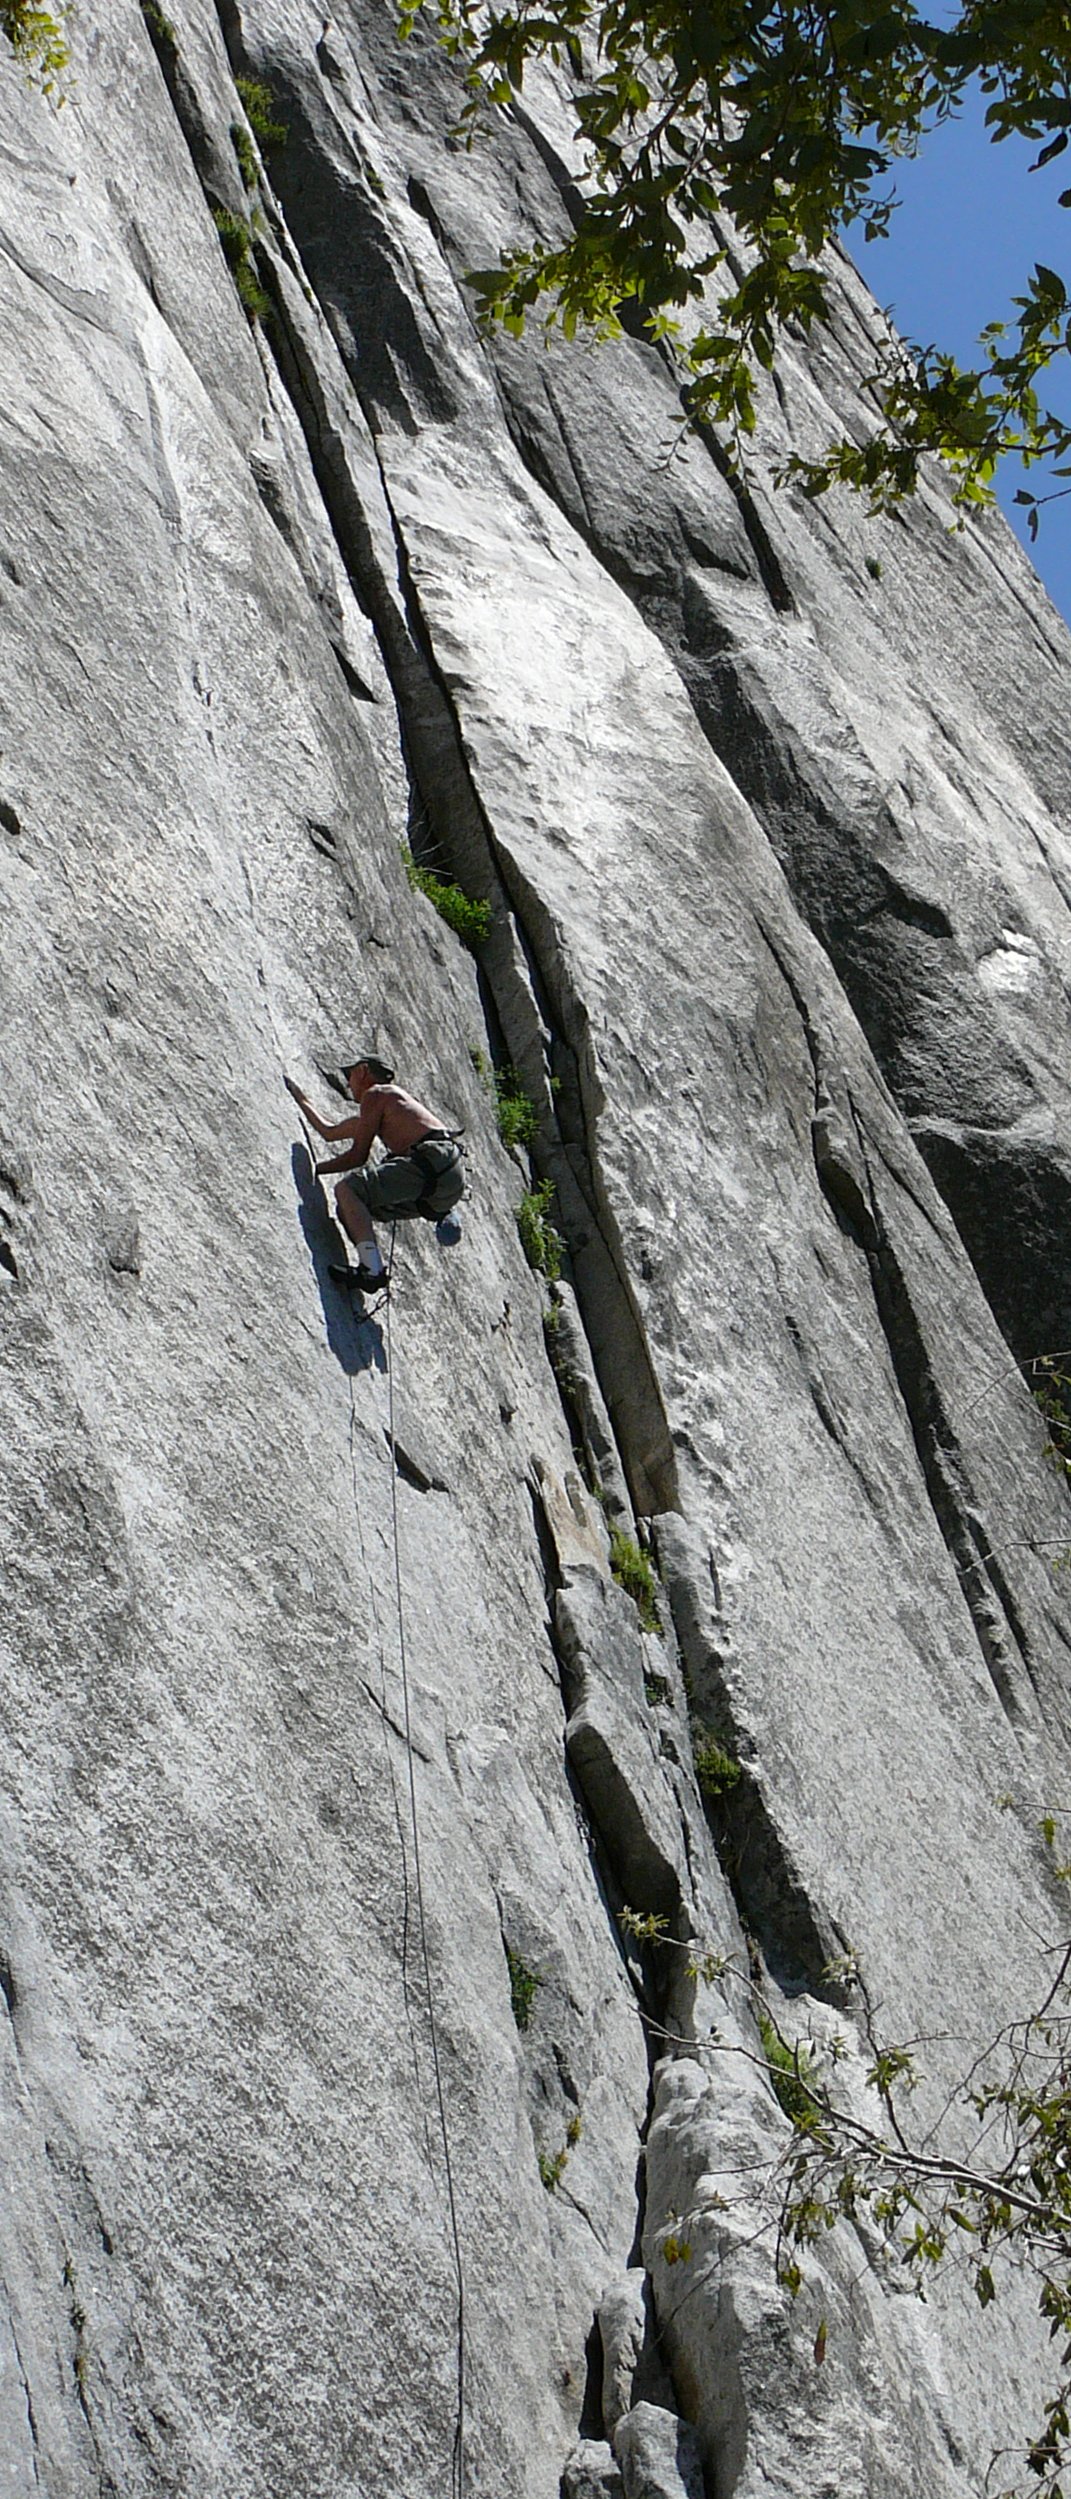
<point x="970" y="229"/>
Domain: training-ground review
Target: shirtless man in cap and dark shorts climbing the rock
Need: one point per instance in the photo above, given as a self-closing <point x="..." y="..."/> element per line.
<point x="421" y="1171"/>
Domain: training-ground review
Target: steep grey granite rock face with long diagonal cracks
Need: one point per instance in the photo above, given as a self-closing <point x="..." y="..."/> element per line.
<point x="768" y="806"/>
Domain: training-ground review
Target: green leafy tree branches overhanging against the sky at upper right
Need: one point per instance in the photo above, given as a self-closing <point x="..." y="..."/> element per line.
<point x="783" y="124"/>
